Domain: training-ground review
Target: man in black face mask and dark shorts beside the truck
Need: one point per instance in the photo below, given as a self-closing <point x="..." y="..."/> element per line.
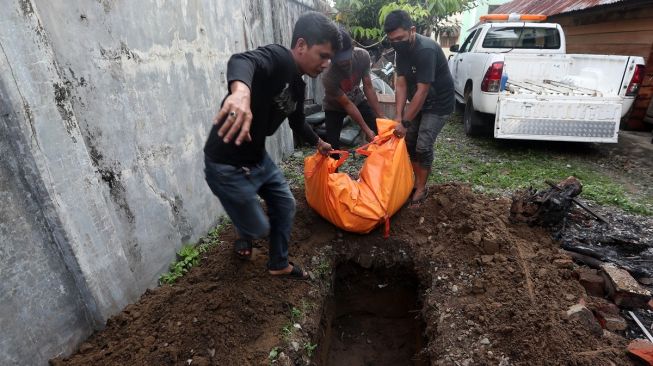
<point x="423" y="77"/>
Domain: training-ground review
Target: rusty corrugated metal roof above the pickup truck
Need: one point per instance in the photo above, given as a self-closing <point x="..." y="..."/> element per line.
<point x="550" y="7"/>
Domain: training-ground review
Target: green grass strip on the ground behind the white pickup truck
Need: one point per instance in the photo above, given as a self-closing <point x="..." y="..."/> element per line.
<point x="499" y="167"/>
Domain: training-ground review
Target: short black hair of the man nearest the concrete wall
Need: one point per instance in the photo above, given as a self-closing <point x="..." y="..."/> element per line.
<point x="316" y="28"/>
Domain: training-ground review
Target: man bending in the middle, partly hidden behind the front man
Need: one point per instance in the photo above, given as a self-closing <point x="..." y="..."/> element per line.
<point x="343" y="95"/>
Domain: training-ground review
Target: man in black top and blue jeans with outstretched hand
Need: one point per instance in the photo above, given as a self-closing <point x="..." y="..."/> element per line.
<point x="265" y="87"/>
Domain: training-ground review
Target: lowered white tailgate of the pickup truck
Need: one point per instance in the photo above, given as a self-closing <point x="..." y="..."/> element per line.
<point x="563" y="119"/>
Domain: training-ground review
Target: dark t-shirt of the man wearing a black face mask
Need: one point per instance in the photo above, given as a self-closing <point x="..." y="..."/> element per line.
<point x="426" y="63"/>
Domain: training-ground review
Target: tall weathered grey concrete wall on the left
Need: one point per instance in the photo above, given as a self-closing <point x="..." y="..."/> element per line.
<point x="104" y="109"/>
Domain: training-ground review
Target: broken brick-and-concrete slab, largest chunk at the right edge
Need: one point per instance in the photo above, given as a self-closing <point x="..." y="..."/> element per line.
<point x="623" y="289"/>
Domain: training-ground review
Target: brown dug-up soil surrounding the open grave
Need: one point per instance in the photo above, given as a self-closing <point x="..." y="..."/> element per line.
<point x="455" y="284"/>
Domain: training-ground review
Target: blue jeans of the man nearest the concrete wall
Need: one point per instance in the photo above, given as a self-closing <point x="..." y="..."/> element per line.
<point x="238" y="189"/>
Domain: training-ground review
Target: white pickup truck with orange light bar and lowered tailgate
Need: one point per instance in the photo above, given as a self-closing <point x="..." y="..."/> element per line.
<point x="516" y="77"/>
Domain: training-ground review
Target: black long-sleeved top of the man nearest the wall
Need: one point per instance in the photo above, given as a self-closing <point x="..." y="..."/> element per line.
<point x="277" y="92"/>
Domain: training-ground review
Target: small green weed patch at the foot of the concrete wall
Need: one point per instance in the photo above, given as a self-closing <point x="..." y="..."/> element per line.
<point x="189" y="255"/>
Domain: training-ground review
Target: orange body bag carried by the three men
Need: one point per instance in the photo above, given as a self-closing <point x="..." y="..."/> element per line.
<point x="385" y="182"/>
